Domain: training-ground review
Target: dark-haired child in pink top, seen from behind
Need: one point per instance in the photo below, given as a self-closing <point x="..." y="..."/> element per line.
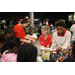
<point x="11" y="54"/>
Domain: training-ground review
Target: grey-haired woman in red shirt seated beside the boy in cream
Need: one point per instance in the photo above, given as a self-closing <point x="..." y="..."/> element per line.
<point x="45" y="39"/>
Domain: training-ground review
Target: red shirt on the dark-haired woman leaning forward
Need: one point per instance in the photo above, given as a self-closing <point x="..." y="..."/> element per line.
<point x="19" y="31"/>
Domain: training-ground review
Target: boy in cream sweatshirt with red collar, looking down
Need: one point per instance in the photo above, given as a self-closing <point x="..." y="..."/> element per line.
<point x="61" y="38"/>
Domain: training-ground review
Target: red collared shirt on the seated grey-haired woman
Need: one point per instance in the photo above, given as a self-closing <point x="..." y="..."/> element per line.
<point x="46" y="42"/>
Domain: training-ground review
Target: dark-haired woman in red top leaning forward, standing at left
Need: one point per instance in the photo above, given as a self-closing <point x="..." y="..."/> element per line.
<point x="20" y="32"/>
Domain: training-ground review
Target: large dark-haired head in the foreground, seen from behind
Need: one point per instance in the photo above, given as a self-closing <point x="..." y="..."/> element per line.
<point x="27" y="53"/>
